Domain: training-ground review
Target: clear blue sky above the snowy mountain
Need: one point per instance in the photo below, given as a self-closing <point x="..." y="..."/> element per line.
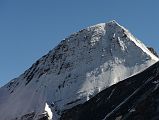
<point x="30" y="28"/>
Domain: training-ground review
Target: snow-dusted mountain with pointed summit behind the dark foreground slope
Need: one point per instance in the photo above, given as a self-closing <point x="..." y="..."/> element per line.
<point x="78" y="68"/>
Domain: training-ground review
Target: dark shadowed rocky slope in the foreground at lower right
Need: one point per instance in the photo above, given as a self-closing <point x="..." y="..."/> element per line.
<point x="136" y="98"/>
